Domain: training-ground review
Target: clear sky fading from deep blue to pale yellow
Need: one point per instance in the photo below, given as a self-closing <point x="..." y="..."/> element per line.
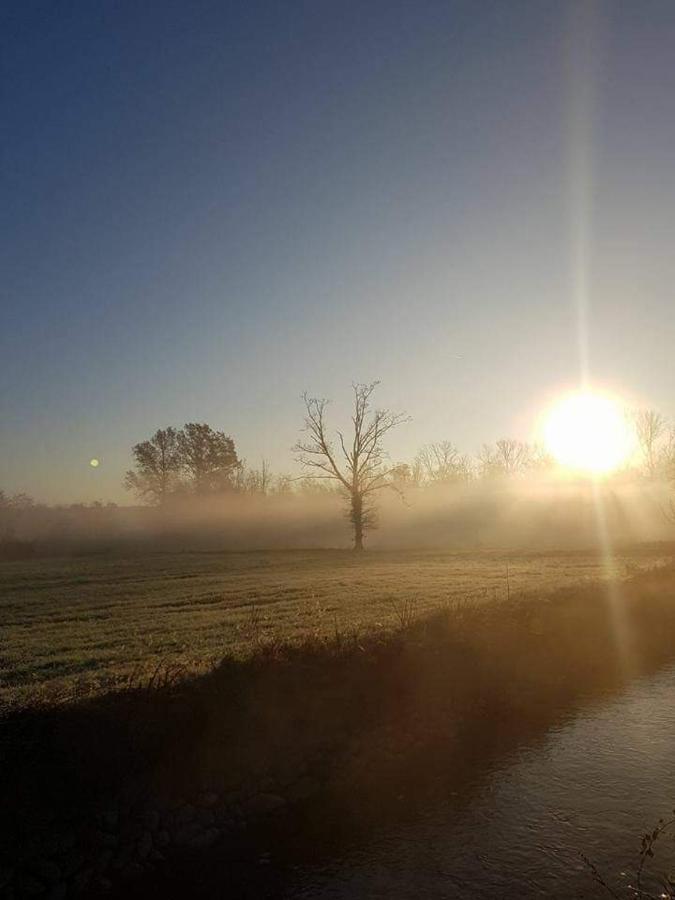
<point x="209" y="208"/>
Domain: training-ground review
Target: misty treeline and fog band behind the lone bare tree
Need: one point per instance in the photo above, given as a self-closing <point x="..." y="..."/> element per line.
<point x="196" y="491"/>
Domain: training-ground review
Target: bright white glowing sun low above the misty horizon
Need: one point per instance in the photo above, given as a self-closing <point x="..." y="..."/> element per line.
<point x="588" y="432"/>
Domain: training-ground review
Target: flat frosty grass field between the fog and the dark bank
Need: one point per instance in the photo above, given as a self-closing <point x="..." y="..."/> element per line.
<point x="88" y="624"/>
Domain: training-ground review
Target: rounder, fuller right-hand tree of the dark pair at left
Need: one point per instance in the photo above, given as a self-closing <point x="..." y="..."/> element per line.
<point x="208" y="458"/>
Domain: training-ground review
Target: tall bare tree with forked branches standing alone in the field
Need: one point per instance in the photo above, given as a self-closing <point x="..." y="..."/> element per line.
<point x="359" y="463"/>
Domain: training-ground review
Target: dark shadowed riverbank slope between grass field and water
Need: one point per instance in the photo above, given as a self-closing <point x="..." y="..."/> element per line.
<point x="335" y="733"/>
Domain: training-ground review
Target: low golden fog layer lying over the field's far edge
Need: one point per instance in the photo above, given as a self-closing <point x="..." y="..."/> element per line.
<point x="528" y="513"/>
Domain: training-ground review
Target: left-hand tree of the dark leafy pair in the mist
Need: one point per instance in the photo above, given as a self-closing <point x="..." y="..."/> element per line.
<point x="158" y="464"/>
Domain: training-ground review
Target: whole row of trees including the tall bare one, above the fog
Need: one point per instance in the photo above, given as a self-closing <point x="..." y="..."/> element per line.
<point x="198" y="460"/>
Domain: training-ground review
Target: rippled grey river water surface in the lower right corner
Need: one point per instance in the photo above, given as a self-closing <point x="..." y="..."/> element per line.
<point x="594" y="784"/>
